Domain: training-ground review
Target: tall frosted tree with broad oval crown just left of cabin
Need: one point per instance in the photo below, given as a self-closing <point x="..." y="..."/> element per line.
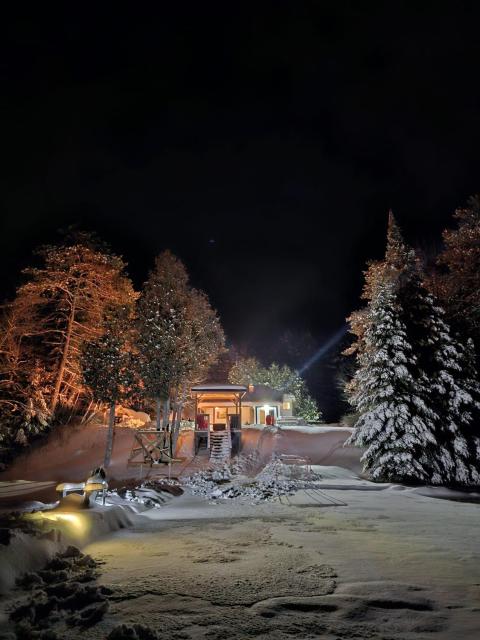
<point x="179" y="335"/>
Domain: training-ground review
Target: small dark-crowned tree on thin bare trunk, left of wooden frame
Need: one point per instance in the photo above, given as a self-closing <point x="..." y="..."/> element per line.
<point x="108" y="366"/>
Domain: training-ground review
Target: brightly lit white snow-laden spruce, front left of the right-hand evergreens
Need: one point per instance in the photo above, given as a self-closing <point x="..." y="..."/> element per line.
<point x="395" y="425"/>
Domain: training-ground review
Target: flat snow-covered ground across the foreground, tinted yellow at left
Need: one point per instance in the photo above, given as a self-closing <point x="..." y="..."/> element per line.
<point x="322" y="555"/>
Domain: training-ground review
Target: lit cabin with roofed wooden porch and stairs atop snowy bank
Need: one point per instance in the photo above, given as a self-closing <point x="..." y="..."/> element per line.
<point x="221" y="410"/>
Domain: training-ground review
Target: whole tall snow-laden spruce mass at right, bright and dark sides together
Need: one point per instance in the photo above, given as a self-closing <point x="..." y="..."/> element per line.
<point x="411" y="369"/>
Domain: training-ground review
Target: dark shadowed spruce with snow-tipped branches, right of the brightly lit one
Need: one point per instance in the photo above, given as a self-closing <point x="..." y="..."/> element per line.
<point x="441" y="361"/>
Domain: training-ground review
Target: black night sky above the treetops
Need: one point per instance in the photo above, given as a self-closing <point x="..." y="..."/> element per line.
<point x="262" y="143"/>
